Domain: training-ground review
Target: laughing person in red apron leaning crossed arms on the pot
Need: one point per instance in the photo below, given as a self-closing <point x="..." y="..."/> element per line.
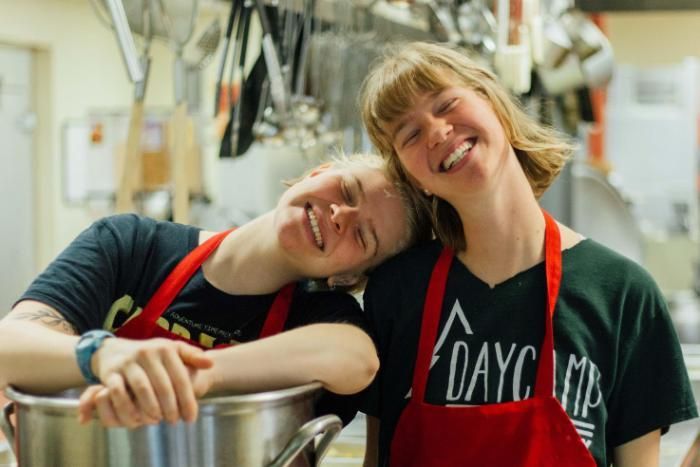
<point x="133" y="303"/>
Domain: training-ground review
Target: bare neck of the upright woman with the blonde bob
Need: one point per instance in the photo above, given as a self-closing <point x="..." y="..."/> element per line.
<point x="504" y="231"/>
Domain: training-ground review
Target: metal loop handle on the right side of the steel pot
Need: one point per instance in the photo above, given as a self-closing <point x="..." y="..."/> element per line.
<point x="329" y="425"/>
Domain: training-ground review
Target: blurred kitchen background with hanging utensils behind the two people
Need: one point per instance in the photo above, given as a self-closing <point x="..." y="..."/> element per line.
<point x="197" y="110"/>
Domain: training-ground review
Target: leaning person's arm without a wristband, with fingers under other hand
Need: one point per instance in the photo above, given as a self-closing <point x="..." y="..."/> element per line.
<point x="342" y="357"/>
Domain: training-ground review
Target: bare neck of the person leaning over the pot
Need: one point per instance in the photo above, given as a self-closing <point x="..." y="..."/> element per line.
<point x="249" y="261"/>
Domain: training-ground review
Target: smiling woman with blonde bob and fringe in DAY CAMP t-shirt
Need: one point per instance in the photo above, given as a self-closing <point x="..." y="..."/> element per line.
<point x="534" y="347"/>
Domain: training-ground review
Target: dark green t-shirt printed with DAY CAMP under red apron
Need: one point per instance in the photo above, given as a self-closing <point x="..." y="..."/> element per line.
<point x="619" y="368"/>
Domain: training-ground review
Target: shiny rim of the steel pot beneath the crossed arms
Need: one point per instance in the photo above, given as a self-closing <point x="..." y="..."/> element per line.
<point x="56" y="401"/>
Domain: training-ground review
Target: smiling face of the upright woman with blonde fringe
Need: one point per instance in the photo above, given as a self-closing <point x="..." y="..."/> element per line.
<point x="451" y="142"/>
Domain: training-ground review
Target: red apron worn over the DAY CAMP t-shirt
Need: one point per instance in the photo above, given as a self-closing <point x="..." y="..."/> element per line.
<point x="532" y="432"/>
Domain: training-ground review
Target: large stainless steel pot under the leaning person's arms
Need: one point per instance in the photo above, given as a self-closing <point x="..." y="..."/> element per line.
<point x="274" y="429"/>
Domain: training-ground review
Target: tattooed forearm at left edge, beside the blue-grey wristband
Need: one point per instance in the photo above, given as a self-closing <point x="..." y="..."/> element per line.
<point x="37" y="351"/>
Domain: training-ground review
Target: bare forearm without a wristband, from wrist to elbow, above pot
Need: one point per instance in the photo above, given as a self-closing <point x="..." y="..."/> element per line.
<point x="342" y="357"/>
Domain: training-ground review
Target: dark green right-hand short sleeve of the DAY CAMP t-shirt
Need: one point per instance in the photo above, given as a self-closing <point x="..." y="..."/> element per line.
<point x="652" y="388"/>
